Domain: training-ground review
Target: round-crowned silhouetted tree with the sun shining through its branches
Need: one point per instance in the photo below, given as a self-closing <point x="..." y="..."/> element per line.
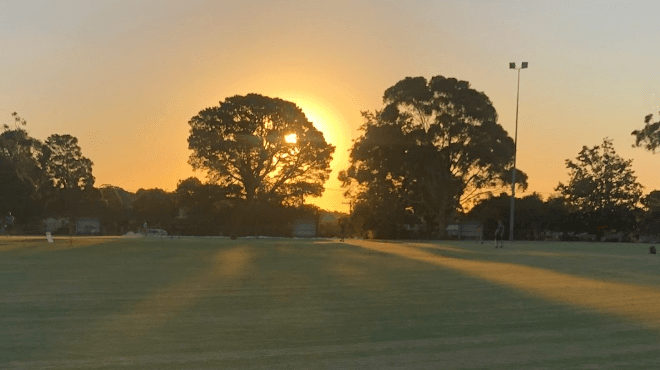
<point x="242" y="142"/>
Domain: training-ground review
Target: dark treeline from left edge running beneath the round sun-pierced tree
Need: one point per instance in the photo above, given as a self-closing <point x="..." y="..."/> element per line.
<point x="53" y="180"/>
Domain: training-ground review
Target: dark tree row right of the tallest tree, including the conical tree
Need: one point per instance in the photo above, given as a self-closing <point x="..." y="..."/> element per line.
<point x="601" y="196"/>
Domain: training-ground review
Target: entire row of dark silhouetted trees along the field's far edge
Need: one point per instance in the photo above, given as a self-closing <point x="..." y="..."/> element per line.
<point x="431" y="154"/>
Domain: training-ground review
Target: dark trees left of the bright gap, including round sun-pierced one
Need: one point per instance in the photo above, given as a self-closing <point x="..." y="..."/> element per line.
<point x="262" y="155"/>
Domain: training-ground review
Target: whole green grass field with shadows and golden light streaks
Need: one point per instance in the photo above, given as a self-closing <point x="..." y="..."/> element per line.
<point x="132" y="303"/>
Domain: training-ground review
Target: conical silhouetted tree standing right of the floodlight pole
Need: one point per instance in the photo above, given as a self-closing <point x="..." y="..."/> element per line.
<point x="602" y="188"/>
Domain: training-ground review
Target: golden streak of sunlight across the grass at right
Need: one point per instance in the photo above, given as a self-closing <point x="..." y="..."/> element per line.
<point x="636" y="302"/>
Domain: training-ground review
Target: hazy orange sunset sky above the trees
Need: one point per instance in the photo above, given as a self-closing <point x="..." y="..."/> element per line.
<point x="125" y="77"/>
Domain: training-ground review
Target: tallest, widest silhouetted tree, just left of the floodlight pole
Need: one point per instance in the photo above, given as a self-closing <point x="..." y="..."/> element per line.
<point x="434" y="147"/>
